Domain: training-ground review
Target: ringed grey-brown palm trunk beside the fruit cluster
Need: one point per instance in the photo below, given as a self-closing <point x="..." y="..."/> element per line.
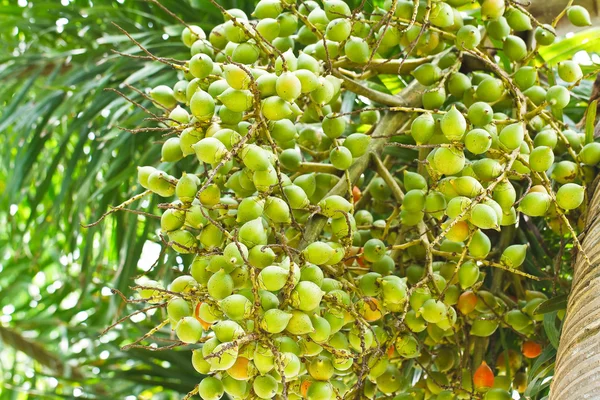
<point x="577" y="371"/>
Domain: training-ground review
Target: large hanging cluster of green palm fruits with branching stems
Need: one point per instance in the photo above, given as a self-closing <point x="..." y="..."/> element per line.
<point x="321" y="267"/>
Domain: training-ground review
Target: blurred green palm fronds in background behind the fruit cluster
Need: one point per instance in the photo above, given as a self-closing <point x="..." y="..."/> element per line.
<point x="63" y="162"/>
